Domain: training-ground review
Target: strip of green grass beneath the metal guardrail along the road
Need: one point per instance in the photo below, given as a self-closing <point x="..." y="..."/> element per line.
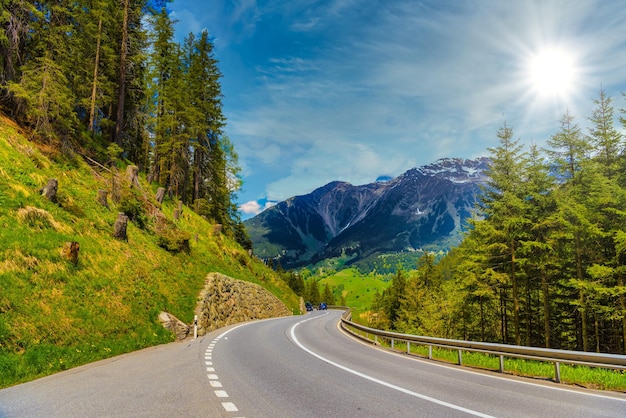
<point x="590" y="377"/>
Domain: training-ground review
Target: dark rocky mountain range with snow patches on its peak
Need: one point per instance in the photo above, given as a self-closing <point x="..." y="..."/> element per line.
<point x="424" y="208"/>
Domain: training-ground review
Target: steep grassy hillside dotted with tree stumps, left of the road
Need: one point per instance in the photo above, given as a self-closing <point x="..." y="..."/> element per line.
<point x="56" y="314"/>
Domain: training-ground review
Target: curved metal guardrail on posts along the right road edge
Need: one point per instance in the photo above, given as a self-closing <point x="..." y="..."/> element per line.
<point x="558" y="357"/>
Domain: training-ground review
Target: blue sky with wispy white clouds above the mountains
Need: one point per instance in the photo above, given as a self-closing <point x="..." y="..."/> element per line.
<point x="316" y="91"/>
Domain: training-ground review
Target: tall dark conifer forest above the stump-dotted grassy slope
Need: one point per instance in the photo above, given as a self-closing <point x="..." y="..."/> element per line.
<point x="104" y="79"/>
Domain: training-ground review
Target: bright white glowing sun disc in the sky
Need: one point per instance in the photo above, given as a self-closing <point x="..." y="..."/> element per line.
<point x="552" y="73"/>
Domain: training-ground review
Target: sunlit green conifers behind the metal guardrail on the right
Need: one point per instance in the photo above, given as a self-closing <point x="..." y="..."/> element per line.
<point x="544" y="262"/>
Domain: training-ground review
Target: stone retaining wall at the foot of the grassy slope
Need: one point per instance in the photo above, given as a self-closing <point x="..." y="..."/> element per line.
<point x="226" y="301"/>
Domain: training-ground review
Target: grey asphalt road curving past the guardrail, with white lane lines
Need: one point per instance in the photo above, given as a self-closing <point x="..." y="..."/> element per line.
<point x="292" y="367"/>
